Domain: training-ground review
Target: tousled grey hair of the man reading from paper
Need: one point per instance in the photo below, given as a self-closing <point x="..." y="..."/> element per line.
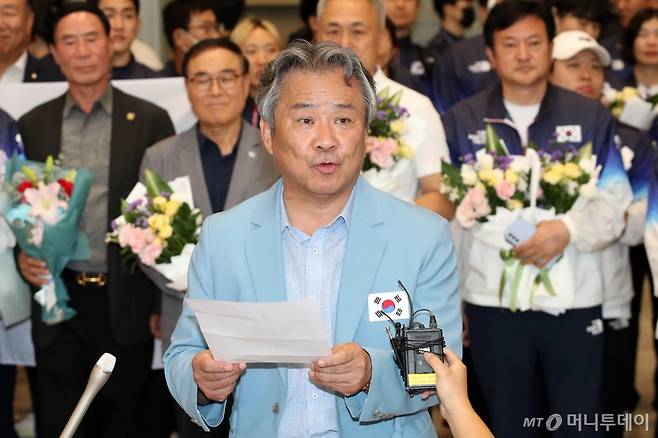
<point x="322" y="57"/>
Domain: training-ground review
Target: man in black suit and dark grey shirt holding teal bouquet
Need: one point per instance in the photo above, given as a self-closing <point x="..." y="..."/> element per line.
<point x="98" y="127"/>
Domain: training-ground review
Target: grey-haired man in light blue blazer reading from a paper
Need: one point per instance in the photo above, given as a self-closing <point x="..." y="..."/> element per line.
<point x="320" y="232"/>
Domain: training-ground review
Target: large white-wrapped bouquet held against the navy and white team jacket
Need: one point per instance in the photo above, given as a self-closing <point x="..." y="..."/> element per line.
<point x="496" y="189"/>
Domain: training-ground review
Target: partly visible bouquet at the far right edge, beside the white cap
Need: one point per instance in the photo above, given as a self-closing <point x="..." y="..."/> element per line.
<point x="629" y="107"/>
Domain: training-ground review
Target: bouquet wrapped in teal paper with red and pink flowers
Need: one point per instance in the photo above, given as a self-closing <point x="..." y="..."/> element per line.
<point x="45" y="204"/>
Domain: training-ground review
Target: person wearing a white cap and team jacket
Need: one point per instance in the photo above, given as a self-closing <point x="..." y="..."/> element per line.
<point x="578" y="65"/>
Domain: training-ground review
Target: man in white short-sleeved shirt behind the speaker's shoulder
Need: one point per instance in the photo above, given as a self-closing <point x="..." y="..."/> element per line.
<point x="359" y="25"/>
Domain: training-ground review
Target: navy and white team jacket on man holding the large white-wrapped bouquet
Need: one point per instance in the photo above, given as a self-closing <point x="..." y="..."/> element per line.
<point x="564" y="118"/>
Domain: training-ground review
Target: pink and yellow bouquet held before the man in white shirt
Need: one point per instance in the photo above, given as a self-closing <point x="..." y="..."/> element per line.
<point x="391" y="141"/>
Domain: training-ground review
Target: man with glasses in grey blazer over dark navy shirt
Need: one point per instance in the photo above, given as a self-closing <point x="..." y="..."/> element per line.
<point x="222" y="155"/>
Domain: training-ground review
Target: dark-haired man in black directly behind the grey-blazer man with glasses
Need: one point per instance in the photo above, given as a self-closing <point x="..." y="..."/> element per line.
<point x="186" y="22"/>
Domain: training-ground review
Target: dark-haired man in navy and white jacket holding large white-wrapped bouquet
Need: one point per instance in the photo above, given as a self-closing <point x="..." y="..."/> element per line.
<point x="555" y="347"/>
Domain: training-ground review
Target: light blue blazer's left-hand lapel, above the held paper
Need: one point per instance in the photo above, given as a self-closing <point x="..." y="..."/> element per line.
<point x="265" y="251"/>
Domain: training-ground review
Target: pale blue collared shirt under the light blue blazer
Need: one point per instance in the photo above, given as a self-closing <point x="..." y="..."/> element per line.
<point x="313" y="267"/>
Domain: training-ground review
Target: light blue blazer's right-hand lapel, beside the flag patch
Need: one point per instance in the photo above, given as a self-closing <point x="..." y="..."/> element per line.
<point x="366" y="241"/>
